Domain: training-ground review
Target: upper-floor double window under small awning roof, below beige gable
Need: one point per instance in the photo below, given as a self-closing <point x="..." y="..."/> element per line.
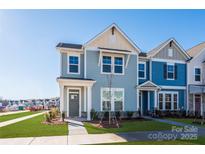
<point x="112" y="64"/>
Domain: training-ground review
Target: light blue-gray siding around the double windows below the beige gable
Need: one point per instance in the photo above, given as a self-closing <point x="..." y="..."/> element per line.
<point x="127" y="81"/>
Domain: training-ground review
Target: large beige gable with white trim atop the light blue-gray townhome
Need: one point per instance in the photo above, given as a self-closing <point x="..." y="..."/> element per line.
<point x="112" y="37"/>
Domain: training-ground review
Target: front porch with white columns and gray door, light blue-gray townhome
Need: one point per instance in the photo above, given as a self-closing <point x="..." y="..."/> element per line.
<point x="76" y="97"/>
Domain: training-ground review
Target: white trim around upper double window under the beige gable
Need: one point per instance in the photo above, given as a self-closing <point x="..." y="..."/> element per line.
<point x="113" y="64"/>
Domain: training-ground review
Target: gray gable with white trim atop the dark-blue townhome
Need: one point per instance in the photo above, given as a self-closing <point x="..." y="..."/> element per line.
<point x="161" y="51"/>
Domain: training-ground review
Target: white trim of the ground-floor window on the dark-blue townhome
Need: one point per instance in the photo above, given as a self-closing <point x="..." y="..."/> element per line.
<point x="172" y="100"/>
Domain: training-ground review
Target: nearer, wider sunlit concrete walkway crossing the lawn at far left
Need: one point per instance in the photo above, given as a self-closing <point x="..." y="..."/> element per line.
<point x="9" y="122"/>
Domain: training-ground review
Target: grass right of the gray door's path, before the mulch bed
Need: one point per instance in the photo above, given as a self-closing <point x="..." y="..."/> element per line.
<point x="130" y="126"/>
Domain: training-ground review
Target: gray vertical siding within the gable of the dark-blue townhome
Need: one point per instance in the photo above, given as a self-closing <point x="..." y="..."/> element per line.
<point x="163" y="54"/>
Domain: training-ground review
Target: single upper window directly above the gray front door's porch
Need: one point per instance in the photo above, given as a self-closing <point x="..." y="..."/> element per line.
<point x="73" y="64"/>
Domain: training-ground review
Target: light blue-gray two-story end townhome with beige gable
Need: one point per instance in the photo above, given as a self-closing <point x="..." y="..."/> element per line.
<point x="106" y="65"/>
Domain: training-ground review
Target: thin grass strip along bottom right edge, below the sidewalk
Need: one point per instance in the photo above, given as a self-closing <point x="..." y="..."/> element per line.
<point x="199" y="141"/>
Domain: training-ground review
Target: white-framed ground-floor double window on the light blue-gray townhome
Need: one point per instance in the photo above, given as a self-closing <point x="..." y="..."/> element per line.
<point x="112" y="99"/>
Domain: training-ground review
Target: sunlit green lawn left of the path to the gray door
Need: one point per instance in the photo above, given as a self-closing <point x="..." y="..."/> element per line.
<point x="33" y="128"/>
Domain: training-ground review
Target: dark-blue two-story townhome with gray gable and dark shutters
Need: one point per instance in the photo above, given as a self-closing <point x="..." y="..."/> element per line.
<point x="162" y="78"/>
